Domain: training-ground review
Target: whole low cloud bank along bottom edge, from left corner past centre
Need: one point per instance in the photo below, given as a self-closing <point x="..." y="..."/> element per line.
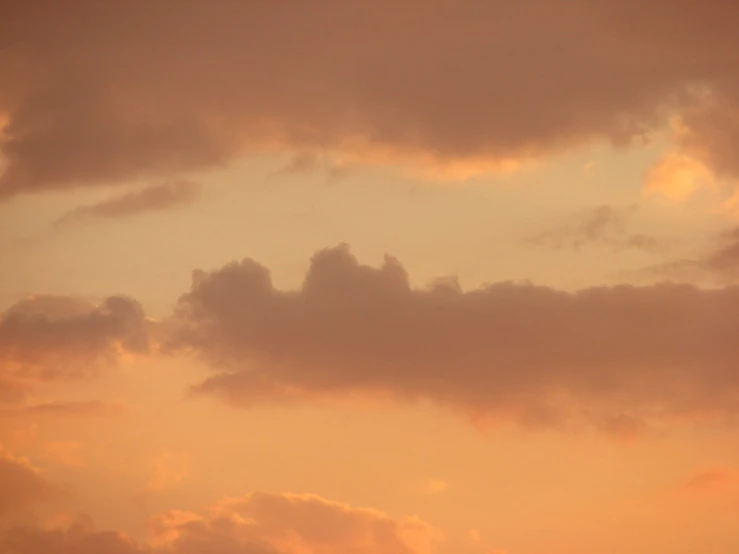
<point x="259" y="523"/>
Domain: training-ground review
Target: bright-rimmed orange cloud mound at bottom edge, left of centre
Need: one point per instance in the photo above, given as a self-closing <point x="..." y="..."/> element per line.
<point x="291" y="523"/>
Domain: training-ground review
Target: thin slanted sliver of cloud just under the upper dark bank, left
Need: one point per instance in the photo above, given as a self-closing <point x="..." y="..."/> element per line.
<point x="150" y="199"/>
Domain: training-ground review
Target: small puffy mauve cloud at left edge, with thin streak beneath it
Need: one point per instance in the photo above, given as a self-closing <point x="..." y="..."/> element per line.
<point x="45" y="339"/>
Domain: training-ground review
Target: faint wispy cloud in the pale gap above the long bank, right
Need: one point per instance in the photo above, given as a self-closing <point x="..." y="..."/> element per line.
<point x="602" y="225"/>
